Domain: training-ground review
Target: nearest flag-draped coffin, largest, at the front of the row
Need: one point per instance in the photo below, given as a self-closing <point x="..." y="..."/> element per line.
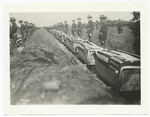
<point x="121" y="70"/>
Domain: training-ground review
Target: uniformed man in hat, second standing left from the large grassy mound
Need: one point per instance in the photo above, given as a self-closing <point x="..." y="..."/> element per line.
<point x="90" y="27"/>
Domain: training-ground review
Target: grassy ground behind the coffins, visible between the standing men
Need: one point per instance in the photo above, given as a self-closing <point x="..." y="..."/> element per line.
<point x="122" y="41"/>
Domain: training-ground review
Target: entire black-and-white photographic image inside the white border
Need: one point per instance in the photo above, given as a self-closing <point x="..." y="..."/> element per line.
<point x="75" y="58"/>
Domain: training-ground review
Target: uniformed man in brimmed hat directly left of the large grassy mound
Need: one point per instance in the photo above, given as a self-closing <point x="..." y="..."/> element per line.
<point x="103" y="31"/>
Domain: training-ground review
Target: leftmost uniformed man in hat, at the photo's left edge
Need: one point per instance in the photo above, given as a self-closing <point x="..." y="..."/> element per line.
<point x="13" y="35"/>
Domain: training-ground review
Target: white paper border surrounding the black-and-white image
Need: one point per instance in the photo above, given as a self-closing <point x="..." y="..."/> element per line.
<point x="129" y="7"/>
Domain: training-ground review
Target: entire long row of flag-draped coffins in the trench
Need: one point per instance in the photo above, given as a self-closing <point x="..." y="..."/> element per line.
<point x="120" y="69"/>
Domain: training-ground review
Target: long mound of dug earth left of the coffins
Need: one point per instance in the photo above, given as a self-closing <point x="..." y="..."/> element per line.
<point x="41" y="74"/>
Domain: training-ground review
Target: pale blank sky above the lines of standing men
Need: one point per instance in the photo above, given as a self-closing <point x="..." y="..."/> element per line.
<point x="49" y="18"/>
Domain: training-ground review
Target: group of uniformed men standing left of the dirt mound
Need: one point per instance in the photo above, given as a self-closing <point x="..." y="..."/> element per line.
<point x="23" y="31"/>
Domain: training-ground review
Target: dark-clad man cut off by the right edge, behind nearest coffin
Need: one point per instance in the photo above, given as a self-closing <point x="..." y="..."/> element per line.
<point x="136" y="45"/>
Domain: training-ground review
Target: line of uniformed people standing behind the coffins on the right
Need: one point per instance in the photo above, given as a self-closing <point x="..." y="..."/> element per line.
<point x="102" y="26"/>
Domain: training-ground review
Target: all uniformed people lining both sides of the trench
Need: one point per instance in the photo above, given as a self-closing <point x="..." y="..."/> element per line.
<point x="26" y="29"/>
